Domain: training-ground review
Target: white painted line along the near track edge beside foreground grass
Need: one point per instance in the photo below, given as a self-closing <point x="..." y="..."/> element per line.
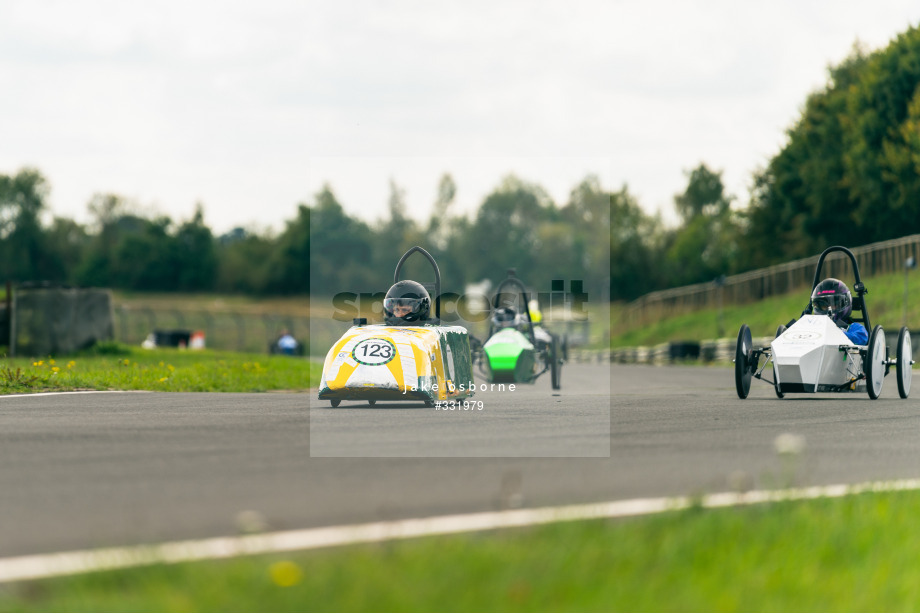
<point x="32" y="567"/>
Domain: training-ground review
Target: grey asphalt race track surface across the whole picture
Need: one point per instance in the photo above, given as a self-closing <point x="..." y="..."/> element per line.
<point x="94" y="470"/>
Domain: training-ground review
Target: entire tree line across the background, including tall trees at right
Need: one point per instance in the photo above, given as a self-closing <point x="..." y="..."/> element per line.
<point x="849" y="173"/>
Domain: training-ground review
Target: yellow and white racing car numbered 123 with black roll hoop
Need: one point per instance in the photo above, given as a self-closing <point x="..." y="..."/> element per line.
<point x="409" y="357"/>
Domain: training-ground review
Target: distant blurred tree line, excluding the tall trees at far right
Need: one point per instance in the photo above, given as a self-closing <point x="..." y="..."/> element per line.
<point x="604" y="240"/>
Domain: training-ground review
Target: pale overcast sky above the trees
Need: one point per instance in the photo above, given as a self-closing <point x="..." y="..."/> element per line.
<point x="249" y="107"/>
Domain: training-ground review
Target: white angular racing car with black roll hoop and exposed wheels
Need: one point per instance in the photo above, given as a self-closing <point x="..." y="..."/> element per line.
<point x="814" y="355"/>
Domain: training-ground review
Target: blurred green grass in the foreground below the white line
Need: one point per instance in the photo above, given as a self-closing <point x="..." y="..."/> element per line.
<point x="852" y="554"/>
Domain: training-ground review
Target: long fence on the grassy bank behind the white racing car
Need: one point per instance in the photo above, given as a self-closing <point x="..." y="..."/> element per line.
<point x="874" y="259"/>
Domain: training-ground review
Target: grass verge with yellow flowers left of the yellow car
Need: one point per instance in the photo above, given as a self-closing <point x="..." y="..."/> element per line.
<point x="113" y="366"/>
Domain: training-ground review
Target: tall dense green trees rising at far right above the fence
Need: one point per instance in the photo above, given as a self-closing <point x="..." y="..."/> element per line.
<point x="850" y="171"/>
